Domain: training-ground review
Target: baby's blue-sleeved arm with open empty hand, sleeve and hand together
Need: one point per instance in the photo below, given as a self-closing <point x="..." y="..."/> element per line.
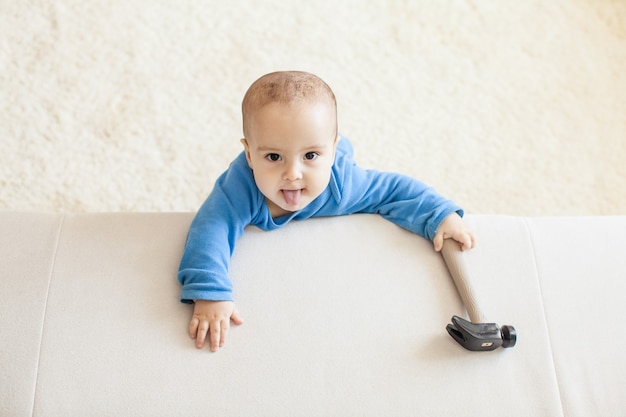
<point x="203" y="271"/>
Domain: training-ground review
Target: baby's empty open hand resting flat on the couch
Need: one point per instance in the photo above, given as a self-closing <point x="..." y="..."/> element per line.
<point x="212" y="318"/>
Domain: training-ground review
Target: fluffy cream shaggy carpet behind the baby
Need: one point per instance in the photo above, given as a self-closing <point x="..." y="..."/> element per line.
<point x="514" y="107"/>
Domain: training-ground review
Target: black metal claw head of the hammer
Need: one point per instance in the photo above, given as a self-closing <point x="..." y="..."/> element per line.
<point x="481" y="336"/>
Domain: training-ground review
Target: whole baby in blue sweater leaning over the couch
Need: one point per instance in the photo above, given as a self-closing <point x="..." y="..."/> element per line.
<point x="294" y="166"/>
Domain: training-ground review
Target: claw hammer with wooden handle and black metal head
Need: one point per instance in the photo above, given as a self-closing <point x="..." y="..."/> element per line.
<point x="475" y="335"/>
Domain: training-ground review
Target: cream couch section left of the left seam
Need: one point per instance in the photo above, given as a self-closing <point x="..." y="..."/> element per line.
<point x="27" y="251"/>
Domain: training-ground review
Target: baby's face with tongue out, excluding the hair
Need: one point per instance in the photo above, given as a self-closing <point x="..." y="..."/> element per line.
<point x="291" y="150"/>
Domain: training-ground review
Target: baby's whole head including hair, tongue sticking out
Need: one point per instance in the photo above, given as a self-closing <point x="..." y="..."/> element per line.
<point x="290" y="129"/>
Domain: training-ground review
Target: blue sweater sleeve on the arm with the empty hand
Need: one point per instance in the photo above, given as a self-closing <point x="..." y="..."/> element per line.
<point x="213" y="233"/>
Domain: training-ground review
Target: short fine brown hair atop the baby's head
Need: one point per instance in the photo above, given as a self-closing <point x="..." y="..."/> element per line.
<point x="285" y="87"/>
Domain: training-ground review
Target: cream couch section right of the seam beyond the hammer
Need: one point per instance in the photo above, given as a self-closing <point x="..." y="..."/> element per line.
<point x="582" y="268"/>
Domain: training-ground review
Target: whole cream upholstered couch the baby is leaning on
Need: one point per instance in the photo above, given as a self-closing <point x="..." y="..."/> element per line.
<point x="343" y="317"/>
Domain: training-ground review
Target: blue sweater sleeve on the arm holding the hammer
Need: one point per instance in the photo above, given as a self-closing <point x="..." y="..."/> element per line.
<point x="400" y="199"/>
